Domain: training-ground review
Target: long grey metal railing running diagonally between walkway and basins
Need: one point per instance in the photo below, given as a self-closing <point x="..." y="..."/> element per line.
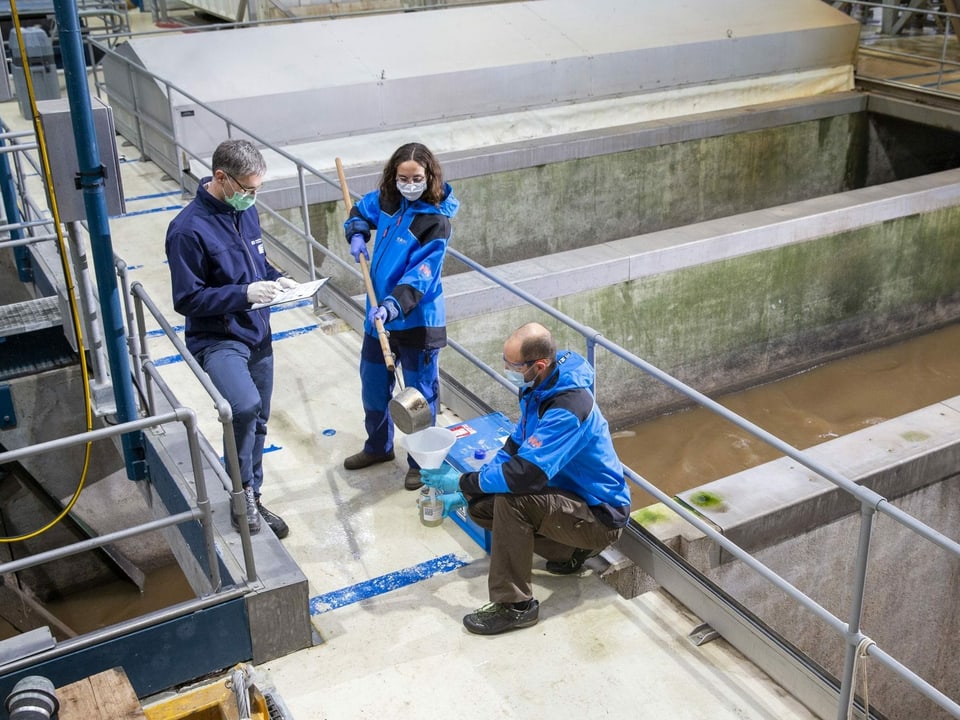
<point x="870" y="502"/>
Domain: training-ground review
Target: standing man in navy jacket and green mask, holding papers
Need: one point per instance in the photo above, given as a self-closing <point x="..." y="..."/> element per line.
<point x="219" y="270"/>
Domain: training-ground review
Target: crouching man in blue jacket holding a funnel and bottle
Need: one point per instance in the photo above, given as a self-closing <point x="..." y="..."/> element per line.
<point x="556" y="488"/>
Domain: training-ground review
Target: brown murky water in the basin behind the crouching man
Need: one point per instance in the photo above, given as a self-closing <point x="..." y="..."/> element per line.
<point x="687" y="449"/>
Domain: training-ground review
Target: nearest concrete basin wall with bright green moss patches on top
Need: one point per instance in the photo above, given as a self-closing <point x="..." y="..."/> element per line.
<point x="806" y="531"/>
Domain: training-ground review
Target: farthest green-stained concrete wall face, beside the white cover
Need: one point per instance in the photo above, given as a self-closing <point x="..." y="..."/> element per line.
<point x="536" y="211"/>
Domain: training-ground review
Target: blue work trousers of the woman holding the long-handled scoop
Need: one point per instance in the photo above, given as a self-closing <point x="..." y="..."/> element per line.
<point x="420" y="370"/>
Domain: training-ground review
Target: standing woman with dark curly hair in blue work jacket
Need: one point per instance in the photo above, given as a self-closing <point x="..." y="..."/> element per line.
<point x="410" y="212"/>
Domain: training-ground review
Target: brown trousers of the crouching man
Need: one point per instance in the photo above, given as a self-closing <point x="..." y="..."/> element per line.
<point x="551" y="524"/>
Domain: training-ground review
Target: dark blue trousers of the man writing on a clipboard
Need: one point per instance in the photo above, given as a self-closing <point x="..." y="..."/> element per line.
<point x="245" y="379"/>
